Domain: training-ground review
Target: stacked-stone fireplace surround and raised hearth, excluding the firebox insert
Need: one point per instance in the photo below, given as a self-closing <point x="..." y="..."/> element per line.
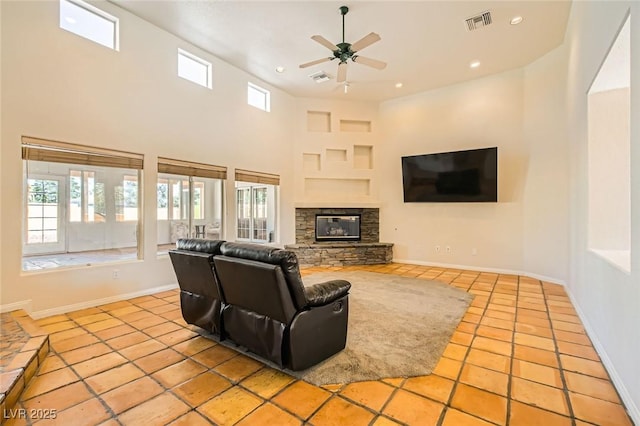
<point x="368" y="251"/>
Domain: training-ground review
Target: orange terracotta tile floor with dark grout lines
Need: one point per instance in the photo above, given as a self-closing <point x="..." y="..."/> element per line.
<point x="520" y="356"/>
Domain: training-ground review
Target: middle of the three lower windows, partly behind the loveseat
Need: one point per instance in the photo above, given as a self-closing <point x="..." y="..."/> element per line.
<point x="189" y="201"/>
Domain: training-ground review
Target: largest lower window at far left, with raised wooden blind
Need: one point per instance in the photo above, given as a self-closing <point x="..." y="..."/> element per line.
<point x="72" y="209"/>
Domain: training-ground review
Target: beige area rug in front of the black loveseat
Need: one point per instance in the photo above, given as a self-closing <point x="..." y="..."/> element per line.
<point x="398" y="327"/>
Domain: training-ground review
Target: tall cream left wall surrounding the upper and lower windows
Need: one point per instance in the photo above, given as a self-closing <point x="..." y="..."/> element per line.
<point x="60" y="86"/>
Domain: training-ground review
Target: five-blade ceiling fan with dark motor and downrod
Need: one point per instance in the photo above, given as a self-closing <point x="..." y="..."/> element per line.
<point x="345" y="51"/>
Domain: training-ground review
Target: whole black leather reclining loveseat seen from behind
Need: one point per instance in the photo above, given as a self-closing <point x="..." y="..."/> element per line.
<point x="254" y="296"/>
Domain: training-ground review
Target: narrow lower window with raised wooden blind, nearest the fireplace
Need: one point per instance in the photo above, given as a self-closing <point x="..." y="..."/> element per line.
<point x="256" y="206"/>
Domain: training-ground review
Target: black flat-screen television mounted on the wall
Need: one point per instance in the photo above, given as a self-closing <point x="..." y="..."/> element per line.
<point x="459" y="176"/>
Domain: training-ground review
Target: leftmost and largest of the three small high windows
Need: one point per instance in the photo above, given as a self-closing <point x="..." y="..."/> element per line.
<point x="89" y="22"/>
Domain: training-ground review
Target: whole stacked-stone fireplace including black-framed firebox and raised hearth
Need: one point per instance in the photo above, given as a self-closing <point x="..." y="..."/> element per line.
<point x="338" y="250"/>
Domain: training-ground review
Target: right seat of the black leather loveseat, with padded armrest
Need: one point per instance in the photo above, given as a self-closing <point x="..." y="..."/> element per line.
<point x="268" y="310"/>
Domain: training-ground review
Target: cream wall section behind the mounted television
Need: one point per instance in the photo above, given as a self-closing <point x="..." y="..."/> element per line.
<point x="481" y="113"/>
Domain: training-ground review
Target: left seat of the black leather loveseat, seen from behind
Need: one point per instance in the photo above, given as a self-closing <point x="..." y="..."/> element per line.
<point x="200" y="299"/>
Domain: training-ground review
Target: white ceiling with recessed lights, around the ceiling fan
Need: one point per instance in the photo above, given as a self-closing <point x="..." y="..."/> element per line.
<point x="425" y="43"/>
